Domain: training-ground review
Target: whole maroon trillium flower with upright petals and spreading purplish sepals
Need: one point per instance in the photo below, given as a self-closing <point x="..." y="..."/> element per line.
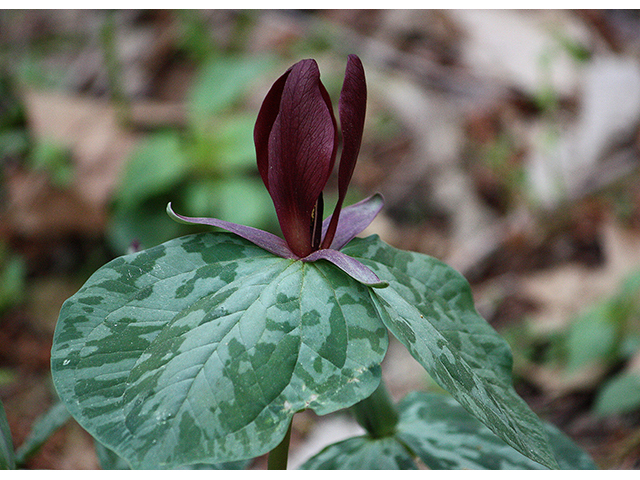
<point x="296" y="139"/>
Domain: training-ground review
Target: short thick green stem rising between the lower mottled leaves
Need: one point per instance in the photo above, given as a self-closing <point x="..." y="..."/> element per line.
<point x="377" y="414"/>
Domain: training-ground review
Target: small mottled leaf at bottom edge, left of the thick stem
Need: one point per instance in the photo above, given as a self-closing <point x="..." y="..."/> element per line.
<point x="363" y="453"/>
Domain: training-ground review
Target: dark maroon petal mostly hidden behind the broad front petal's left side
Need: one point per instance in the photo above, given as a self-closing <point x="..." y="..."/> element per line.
<point x="264" y="123"/>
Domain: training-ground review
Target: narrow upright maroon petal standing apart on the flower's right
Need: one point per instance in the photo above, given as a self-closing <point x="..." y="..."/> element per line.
<point x="352" y="109"/>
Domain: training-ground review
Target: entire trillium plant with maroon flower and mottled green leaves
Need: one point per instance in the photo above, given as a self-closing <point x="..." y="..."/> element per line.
<point x="197" y="353"/>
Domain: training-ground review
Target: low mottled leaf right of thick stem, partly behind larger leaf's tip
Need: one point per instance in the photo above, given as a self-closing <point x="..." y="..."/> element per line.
<point x="445" y="436"/>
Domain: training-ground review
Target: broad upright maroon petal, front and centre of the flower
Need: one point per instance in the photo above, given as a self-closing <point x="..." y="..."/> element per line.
<point x="302" y="150"/>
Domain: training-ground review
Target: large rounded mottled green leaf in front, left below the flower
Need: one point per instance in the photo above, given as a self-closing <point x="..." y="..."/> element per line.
<point x="201" y="349"/>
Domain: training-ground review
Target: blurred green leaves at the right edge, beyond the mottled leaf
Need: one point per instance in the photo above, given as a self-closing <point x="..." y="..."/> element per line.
<point x="605" y="336"/>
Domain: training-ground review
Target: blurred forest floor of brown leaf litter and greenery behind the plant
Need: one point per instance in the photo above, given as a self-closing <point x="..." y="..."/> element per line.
<point x="506" y="143"/>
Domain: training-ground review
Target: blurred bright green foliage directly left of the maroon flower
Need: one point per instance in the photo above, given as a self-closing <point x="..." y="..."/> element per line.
<point x="208" y="169"/>
